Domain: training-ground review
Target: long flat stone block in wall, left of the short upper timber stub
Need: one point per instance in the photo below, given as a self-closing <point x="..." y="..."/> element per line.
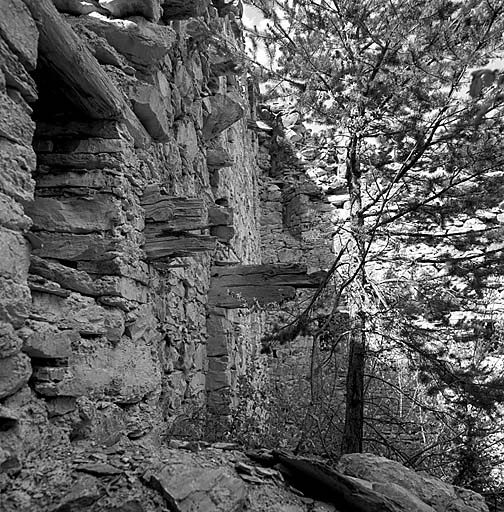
<point x="98" y="213"/>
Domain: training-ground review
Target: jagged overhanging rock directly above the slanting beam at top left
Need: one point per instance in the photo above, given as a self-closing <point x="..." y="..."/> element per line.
<point x="143" y="43"/>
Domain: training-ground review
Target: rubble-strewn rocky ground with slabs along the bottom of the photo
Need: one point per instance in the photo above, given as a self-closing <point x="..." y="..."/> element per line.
<point x="134" y="476"/>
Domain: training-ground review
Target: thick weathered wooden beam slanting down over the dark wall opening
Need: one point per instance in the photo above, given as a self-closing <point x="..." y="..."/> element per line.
<point x="85" y="83"/>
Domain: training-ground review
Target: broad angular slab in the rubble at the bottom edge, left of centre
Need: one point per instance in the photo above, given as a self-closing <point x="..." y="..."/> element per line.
<point x="187" y="488"/>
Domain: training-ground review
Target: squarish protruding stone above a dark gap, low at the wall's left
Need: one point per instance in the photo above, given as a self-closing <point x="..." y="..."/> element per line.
<point x="47" y="342"/>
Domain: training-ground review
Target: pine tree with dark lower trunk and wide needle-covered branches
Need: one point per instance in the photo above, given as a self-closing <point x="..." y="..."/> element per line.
<point x="422" y="162"/>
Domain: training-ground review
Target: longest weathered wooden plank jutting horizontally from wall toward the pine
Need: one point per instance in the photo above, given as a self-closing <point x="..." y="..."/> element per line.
<point x="239" y="286"/>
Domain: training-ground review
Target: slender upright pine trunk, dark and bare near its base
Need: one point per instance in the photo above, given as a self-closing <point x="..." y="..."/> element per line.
<point x="354" y="402"/>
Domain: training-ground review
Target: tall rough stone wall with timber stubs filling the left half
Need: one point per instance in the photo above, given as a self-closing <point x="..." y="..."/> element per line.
<point x="140" y="177"/>
